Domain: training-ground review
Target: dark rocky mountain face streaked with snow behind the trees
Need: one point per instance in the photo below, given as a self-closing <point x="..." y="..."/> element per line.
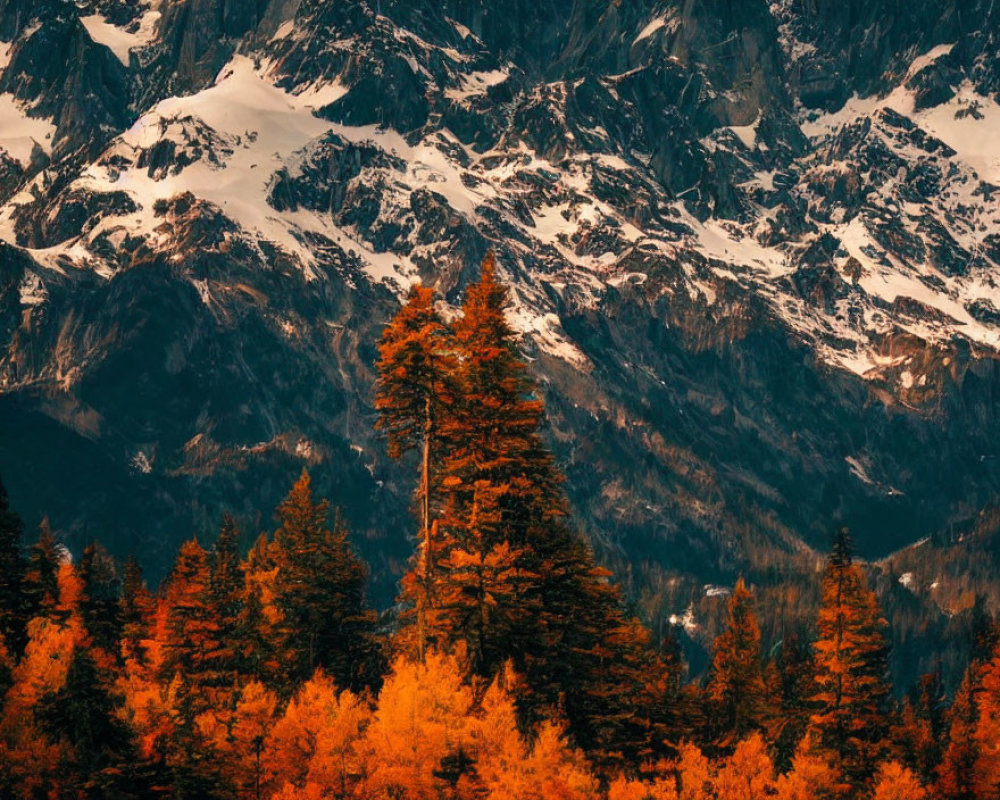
<point x="753" y="249"/>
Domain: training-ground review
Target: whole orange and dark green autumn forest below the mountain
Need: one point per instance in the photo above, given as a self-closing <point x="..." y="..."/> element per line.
<point x="510" y="666"/>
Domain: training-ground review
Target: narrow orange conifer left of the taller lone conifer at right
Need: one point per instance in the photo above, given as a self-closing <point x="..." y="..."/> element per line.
<point x="736" y="689"/>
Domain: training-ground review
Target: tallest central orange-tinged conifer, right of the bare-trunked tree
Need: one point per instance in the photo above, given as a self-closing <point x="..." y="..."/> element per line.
<point x="516" y="581"/>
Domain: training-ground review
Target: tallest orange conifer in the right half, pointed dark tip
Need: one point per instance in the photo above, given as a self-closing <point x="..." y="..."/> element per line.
<point x="852" y="697"/>
